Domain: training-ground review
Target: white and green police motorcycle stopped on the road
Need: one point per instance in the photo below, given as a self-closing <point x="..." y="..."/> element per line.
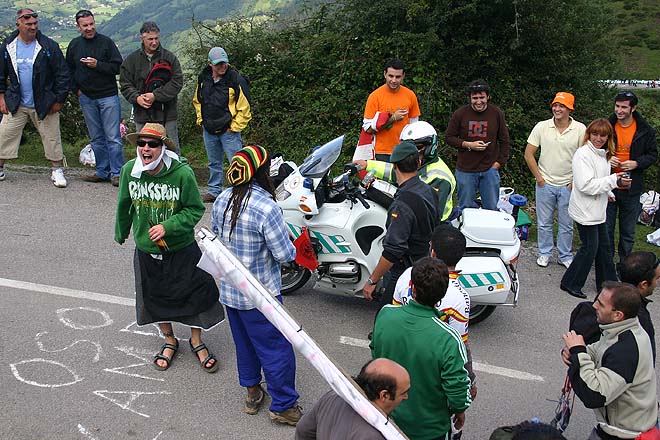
<point x="345" y="217"/>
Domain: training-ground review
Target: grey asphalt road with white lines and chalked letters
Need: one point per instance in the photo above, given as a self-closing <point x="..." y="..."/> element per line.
<point x="74" y="366"/>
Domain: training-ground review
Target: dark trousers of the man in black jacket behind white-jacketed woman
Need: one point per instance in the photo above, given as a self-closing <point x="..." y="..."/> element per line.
<point x="629" y="208"/>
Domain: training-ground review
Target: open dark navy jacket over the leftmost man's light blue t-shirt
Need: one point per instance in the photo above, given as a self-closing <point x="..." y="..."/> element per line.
<point x="50" y="75"/>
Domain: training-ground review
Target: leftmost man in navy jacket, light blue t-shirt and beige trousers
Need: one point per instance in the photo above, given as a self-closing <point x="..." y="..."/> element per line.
<point x="34" y="81"/>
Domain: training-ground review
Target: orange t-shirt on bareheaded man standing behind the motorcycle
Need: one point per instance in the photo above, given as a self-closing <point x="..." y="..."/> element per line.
<point x="384" y="100"/>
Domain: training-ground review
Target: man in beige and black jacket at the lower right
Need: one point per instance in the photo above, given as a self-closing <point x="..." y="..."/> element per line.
<point x="615" y="376"/>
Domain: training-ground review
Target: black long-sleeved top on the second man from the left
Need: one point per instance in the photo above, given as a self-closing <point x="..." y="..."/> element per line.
<point x="101" y="81"/>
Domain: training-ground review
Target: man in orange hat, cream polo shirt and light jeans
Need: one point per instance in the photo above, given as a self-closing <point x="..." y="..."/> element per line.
<point x="558" y="138"/>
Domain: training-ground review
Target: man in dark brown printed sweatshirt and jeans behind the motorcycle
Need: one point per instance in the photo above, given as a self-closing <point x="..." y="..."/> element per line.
<point x="479" y="132"/>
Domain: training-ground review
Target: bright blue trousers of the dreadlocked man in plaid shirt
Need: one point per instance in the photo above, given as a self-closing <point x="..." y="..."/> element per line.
<point x="260" y="345"/>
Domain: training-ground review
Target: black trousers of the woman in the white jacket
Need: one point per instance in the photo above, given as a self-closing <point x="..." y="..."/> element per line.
<point x="595" y="246"/>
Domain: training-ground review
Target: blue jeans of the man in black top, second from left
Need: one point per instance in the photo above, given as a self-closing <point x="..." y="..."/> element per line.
<point x="102" y="117"/>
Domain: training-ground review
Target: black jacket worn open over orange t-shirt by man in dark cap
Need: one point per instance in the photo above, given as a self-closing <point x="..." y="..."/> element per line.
<point x="644" y="150"/>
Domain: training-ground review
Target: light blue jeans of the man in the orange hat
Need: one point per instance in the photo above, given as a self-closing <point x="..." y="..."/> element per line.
<point x="549" y="198"/>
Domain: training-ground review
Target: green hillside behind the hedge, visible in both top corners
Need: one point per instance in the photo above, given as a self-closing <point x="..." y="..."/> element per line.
<point x="639" y="20"/>
